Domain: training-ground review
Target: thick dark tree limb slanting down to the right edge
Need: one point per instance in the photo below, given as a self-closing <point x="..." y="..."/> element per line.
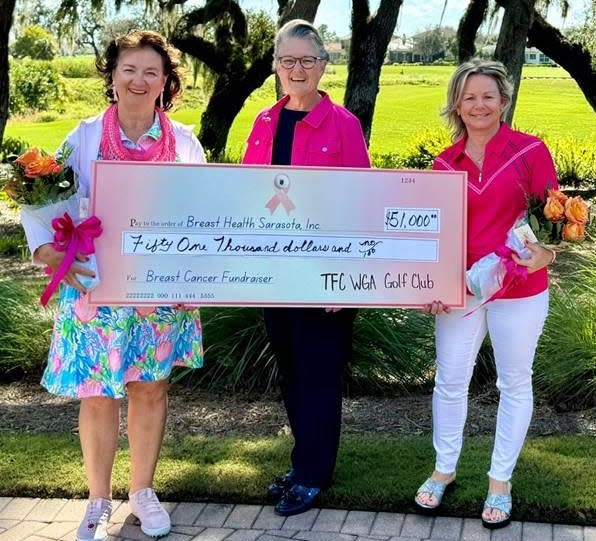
<point x="572" y="57"/>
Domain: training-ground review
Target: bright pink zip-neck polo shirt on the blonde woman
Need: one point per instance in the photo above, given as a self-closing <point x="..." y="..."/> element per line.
<point x="515" y="165"/>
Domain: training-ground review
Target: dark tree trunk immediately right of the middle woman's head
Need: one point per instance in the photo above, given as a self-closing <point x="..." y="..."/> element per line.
<point x="370" y="38"/>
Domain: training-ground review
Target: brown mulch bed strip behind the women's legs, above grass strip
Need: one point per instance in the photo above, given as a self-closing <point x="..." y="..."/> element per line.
<point x="26" y="407"/>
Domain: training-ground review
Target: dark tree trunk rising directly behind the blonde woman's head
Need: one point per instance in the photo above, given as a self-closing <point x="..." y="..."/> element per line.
<point x="513" y="36"/>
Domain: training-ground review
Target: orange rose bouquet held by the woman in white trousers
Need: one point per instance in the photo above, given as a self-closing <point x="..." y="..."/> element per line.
<point x="561" y="218"/>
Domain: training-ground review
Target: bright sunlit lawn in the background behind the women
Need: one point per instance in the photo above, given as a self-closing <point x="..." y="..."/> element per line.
<point x="550" y="104"/>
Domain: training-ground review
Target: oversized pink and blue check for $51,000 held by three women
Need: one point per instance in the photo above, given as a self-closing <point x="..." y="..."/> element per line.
<point x="278" y="236"/>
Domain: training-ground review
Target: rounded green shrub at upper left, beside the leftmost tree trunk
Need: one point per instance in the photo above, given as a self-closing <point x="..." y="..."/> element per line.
<point x="35" y="85"/>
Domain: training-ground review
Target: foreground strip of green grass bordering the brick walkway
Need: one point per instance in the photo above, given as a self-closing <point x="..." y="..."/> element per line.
<point x="552" y="481"/>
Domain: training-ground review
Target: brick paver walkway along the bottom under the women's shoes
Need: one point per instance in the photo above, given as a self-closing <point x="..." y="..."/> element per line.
<point x="53" y="520"/>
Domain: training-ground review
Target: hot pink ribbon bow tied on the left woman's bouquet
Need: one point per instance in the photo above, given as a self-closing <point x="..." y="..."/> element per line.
<point x="72" y="240"/>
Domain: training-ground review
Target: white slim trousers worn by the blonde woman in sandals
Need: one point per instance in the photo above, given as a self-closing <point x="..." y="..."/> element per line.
<point x="514" y="326"/>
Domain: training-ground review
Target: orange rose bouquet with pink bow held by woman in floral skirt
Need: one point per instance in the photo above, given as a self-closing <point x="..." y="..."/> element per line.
<point x="45" y="189"/>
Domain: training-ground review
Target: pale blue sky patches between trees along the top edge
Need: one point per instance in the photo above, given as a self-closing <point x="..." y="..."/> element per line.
<point x="415" y="15"/>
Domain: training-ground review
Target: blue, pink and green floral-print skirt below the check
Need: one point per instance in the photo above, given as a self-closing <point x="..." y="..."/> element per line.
<point x="96" y="351"/>
